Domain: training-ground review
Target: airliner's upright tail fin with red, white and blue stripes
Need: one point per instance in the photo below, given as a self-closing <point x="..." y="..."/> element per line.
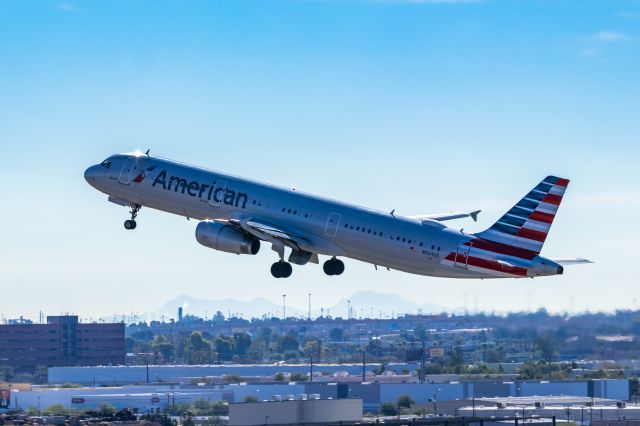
<point x="527" y="224"/>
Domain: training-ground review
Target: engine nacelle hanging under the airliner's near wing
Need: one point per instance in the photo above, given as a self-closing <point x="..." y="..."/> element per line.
<point x="226" y="238"/>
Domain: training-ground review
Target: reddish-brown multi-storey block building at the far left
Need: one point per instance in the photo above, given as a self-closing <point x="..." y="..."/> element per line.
<point x="62" y="341"/>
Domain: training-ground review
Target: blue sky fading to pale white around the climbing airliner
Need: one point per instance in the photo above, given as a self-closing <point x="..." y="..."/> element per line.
<point x="424" y="106"/>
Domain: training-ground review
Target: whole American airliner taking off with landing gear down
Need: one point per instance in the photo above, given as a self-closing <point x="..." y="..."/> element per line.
<point x="237" y="214"/>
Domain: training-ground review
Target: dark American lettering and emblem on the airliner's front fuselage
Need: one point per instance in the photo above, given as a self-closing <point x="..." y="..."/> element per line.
<point x="204" y="191"/>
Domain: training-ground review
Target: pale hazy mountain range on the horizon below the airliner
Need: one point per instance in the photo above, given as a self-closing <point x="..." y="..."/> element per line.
<point x="363" y="303"/>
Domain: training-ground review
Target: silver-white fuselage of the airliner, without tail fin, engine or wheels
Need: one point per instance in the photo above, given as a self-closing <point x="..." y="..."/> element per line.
<point x="331" y="227"/>
